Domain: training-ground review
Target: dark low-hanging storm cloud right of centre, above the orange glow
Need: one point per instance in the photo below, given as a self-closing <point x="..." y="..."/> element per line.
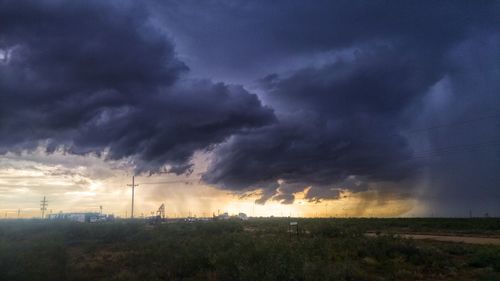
<point x="341" y="120"/>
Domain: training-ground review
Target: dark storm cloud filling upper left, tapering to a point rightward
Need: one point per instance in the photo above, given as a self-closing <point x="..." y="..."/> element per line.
<point x="95" y="76"/>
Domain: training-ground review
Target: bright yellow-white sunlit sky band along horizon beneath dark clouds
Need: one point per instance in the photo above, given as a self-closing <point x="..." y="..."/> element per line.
<point x="92" y="182"/>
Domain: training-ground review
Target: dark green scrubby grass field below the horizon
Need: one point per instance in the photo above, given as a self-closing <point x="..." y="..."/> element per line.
<point x="258" y="249"/>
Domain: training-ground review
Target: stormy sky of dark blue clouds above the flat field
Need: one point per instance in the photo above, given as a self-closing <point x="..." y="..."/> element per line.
<point x="285" y="100"/>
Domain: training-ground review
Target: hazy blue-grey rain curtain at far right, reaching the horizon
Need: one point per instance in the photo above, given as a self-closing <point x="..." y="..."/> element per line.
<point x="467" y="176"/>
